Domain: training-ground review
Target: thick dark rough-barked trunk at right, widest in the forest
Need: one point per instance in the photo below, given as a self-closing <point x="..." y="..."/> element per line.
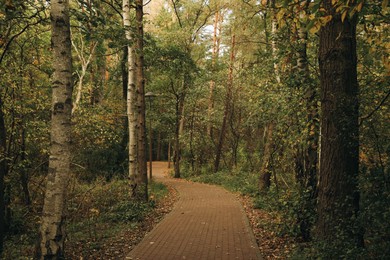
<point x="338" y="196"/>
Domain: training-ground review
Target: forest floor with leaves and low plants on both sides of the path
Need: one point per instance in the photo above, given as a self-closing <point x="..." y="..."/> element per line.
<point x="92" y="237"/>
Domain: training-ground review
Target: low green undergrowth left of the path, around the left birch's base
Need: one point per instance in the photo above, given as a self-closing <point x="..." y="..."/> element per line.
<point x="96" y="213"/>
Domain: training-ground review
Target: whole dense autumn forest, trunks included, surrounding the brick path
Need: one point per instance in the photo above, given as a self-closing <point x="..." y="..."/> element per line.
<point x="286" y="102"/>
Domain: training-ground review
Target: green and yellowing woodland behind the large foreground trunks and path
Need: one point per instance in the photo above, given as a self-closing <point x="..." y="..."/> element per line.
<point x="236" y="102"/>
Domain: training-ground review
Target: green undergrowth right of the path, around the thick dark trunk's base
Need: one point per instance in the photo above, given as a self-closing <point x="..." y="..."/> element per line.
<point x="286" y="205"/>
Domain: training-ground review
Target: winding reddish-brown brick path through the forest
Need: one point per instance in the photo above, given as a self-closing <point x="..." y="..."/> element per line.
<point x="207" y="222"/>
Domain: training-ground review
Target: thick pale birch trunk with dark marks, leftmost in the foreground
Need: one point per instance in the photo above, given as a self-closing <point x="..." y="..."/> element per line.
<point x="52" y="234"/>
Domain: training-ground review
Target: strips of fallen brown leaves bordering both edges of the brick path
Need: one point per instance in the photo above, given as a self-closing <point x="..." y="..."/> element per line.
<point x="271" y="245"/>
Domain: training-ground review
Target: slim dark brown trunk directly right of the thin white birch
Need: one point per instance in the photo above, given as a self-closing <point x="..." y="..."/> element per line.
<point x="142" y="168"/>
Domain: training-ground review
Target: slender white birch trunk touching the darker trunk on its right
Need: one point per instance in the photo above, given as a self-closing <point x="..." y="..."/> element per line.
<point x="134" y="178"/>
